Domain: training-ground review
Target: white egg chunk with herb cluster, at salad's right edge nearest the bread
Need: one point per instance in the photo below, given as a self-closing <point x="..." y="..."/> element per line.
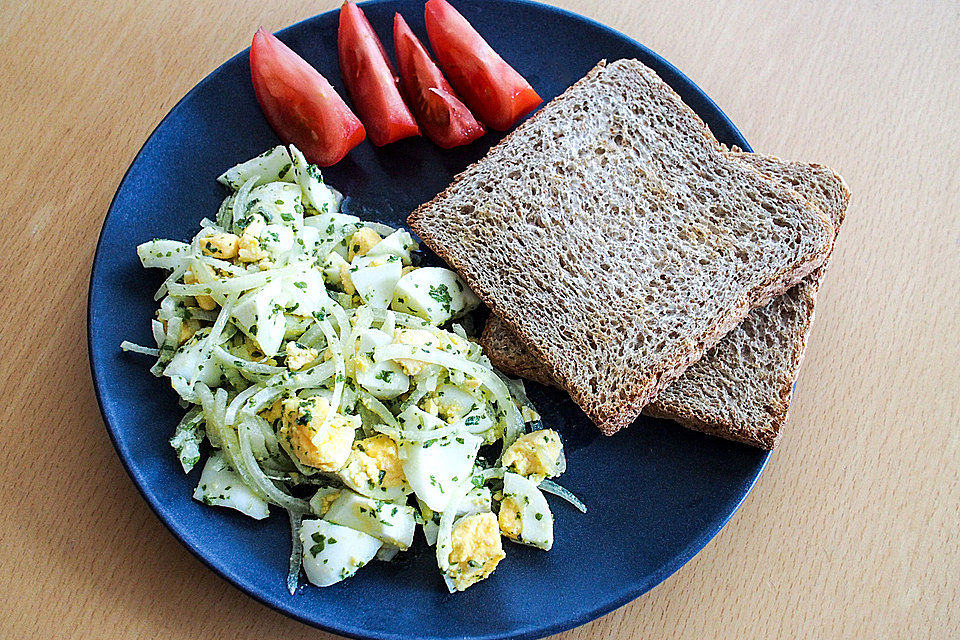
<point x="435" y="294"/>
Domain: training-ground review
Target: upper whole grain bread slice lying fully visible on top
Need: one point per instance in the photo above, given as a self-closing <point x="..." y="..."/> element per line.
<point x="618" y="241"/>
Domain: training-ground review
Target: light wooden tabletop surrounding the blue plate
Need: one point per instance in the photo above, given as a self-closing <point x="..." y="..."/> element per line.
<point x="852" y="531"/>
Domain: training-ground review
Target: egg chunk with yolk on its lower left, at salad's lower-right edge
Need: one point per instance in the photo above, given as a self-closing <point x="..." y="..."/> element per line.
<point x="525" y="515"/>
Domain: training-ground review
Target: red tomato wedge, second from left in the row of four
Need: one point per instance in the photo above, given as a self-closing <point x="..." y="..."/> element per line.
<point x="370" y="79"/>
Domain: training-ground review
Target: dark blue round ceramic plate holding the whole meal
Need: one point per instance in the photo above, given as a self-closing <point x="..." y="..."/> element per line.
<point x="656" y="493"/>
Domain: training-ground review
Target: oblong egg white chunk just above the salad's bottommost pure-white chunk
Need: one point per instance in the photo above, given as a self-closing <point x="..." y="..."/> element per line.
<point x="391" y="523"/>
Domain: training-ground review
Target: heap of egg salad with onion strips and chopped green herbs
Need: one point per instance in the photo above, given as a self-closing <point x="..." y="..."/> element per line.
<point x="328" y="374"/>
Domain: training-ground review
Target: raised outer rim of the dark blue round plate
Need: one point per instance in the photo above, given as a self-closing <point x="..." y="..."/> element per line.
<point x="678" y="560"/>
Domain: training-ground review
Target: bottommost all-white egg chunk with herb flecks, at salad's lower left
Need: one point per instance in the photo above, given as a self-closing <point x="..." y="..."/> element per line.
<point x="332" y="552"/>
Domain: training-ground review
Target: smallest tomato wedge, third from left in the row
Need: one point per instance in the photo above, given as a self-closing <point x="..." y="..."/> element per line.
<point x="440" y="113"/>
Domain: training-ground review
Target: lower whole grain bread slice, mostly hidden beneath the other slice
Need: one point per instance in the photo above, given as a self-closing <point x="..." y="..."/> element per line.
<point x="740" y="389"/>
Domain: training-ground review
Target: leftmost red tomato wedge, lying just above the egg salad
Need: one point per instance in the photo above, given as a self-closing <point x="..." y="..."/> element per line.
<point x="301" y="106"/>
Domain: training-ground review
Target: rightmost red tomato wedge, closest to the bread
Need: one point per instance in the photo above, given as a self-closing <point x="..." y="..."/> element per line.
<point x="494" y="91"/>
